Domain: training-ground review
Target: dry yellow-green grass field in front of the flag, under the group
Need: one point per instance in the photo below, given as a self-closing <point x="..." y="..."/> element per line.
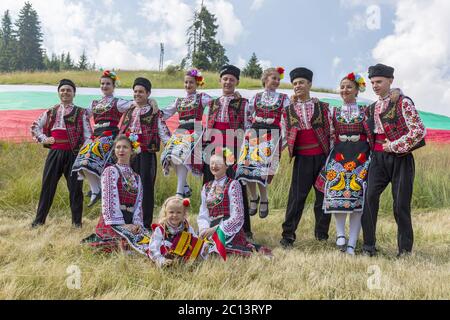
<point x="35" y="263"/>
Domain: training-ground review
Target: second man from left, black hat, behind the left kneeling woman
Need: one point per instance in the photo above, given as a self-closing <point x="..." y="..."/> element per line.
<point x="150" y="127"/>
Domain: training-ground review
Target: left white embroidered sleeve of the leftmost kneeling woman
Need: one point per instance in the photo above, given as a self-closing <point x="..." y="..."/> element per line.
<point x="110" y="198"/>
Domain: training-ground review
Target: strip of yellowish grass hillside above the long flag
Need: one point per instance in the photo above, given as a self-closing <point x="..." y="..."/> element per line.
<point x="160" y="80"/>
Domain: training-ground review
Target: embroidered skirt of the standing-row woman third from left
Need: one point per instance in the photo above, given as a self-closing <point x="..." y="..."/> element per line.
<point x="259" y="156"/>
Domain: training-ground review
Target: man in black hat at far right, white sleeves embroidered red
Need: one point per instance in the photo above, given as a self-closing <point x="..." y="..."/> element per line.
<point x="398" y="131"/>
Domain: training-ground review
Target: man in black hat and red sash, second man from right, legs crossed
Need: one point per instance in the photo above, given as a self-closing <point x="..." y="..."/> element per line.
<point x="308" y="141"/>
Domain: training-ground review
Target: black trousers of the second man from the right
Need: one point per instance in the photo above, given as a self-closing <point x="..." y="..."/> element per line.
<point x="306" y="171"/>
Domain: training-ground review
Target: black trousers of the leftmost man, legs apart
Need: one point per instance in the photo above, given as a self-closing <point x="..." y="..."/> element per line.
<point x="58" y="163"/>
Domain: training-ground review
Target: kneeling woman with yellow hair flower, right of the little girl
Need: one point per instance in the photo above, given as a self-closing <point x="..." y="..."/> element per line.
<point x="222" y="207"/>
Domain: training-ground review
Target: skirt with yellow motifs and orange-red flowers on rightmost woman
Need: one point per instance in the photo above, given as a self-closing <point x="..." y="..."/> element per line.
<point x="346" y="173"/>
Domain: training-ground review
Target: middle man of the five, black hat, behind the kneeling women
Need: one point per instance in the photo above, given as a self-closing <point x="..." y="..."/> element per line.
<point x="228" y="119"/>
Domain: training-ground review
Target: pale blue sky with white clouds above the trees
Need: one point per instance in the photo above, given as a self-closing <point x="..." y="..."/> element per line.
<point x="331" y="37"/>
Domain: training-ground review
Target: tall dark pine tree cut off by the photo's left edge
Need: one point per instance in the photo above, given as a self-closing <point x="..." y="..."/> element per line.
<point x="8" y="45"/>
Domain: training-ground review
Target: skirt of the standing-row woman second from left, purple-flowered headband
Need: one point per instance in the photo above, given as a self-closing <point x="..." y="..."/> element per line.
<point x="183" y="148"/>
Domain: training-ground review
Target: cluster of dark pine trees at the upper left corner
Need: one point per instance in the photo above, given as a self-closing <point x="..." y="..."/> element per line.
<point x="21" y="46"/>
